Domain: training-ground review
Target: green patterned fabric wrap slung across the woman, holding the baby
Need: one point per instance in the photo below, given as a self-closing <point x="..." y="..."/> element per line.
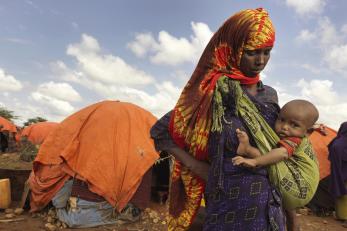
<point x="297" y="177"/>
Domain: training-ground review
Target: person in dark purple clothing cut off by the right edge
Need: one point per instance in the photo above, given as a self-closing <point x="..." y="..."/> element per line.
<point x="338" y="180"/>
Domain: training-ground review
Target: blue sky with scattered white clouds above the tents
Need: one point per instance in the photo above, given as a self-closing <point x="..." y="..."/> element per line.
<point x="57" y="57"/>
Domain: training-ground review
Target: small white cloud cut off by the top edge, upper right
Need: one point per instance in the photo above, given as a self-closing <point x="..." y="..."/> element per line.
<point x="304" y="7"/>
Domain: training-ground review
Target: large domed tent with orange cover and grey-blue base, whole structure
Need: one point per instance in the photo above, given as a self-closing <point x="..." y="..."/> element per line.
<point x="95" y="167"/>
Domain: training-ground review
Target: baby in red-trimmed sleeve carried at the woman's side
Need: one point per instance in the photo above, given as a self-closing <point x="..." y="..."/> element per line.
<point x="295" y="120"/>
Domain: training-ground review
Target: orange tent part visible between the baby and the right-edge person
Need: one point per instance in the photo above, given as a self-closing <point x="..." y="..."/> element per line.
<point x="320" y="138"/>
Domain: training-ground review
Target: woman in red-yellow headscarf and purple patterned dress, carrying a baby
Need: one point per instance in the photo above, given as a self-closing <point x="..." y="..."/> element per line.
<point x="203" y="123"/>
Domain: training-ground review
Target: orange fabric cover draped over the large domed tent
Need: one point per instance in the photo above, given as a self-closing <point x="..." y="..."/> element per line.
<point x="106" y="144"/>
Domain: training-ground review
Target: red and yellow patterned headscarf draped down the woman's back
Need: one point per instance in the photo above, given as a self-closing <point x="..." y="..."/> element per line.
<point x="191" y="119"/>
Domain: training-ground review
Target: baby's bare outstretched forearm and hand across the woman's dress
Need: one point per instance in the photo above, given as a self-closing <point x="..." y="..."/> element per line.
<point x="274" y="156"/>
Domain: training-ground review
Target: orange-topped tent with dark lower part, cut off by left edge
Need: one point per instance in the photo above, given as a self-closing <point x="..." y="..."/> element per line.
<point x="7" y="133"/>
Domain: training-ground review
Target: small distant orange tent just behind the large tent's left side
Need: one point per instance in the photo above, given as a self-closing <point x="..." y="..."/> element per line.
<point x="38" y="132"/>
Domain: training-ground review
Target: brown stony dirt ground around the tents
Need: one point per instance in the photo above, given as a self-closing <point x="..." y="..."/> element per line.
<point x="152" y="219"/>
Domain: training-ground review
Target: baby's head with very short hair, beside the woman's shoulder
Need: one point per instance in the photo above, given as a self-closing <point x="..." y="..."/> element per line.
<point x="296" y="118"/>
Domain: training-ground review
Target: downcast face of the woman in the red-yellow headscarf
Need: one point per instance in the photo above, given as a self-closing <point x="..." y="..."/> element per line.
<point x="254" y="61"/>
